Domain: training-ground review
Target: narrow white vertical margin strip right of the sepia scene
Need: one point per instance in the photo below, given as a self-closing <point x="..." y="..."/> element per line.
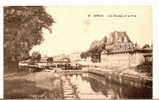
<point x="156" y="51"/>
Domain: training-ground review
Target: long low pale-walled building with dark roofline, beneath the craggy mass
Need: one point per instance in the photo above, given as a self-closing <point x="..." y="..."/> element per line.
<point x="125" y="55"/>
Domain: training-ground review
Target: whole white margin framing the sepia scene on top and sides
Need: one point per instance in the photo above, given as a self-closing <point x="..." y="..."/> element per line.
<point x="153" y="3"/>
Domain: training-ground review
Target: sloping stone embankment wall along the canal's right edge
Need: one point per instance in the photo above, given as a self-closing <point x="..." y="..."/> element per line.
<point x="125" y="78"/>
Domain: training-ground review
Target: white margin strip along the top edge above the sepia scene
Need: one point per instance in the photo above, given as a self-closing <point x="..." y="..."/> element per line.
<point x="76" y="2"/>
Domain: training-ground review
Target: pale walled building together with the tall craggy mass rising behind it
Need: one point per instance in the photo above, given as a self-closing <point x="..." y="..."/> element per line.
<point x="120" y="51"/>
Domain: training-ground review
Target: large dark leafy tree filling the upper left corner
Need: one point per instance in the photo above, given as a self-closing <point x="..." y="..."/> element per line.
<point x="22" y="30"/>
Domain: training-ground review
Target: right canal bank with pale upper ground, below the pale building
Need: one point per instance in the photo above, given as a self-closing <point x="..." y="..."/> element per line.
<point x="121" y="75"/>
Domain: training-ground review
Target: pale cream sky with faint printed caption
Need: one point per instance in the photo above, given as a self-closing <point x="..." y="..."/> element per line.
<point x="76" y="27"/>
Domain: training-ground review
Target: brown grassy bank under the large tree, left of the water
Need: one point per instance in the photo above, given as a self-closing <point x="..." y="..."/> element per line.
<point x="39" y="85"/>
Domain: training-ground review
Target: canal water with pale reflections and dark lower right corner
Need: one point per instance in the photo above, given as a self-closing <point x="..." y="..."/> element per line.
<point x="90" y="86"/>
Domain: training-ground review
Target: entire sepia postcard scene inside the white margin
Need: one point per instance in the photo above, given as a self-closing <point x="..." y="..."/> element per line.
<point x="78" y="52"/>
